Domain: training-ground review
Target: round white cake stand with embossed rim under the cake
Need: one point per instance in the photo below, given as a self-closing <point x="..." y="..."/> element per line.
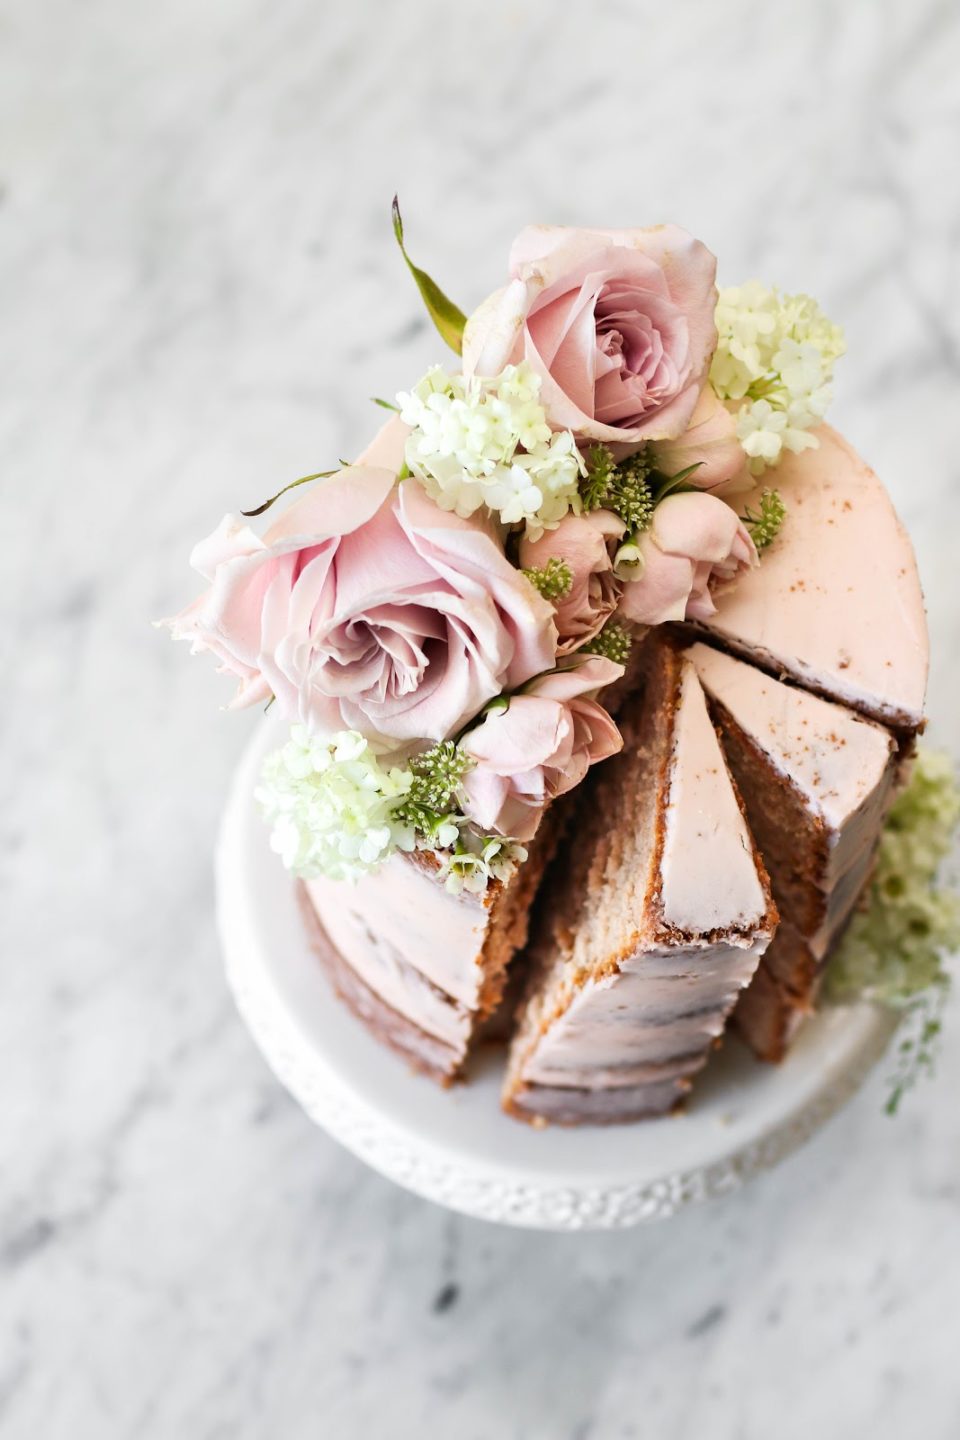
<point x="456" y="1147"/>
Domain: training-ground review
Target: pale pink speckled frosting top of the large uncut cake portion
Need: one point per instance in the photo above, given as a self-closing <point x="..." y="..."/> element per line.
<point x="837" y="601"/>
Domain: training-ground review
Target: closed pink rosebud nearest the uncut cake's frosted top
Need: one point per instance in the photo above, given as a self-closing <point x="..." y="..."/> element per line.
<point x="694" y="541"/>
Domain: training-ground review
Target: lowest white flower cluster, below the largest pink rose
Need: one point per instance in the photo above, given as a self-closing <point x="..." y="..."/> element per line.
<point x="330" y="804"/>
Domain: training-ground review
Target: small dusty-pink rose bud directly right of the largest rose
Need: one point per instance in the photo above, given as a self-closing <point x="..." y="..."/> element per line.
<point x="584" y="544"/>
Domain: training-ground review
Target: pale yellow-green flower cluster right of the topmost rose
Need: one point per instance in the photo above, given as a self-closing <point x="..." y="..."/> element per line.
<point x="775" y="355"/>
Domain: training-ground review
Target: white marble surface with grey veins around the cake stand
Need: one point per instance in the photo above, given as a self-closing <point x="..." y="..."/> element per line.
<point x="199" y="292"/>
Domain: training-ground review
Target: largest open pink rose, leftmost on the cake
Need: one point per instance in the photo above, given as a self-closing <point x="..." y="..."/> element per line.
<point x="366" y="607"/>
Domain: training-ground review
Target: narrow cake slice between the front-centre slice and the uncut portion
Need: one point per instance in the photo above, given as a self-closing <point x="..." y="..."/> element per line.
<point x="817" y="781"/>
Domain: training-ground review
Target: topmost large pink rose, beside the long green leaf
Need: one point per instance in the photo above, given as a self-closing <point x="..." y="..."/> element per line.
<point x="620" y="326"/>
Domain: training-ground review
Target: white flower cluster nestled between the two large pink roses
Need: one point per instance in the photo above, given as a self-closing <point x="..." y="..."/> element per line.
<point x="487" y="443"/>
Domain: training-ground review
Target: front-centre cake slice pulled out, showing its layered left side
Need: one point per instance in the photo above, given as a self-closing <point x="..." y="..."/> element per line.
<point x="650" y="925"/>
